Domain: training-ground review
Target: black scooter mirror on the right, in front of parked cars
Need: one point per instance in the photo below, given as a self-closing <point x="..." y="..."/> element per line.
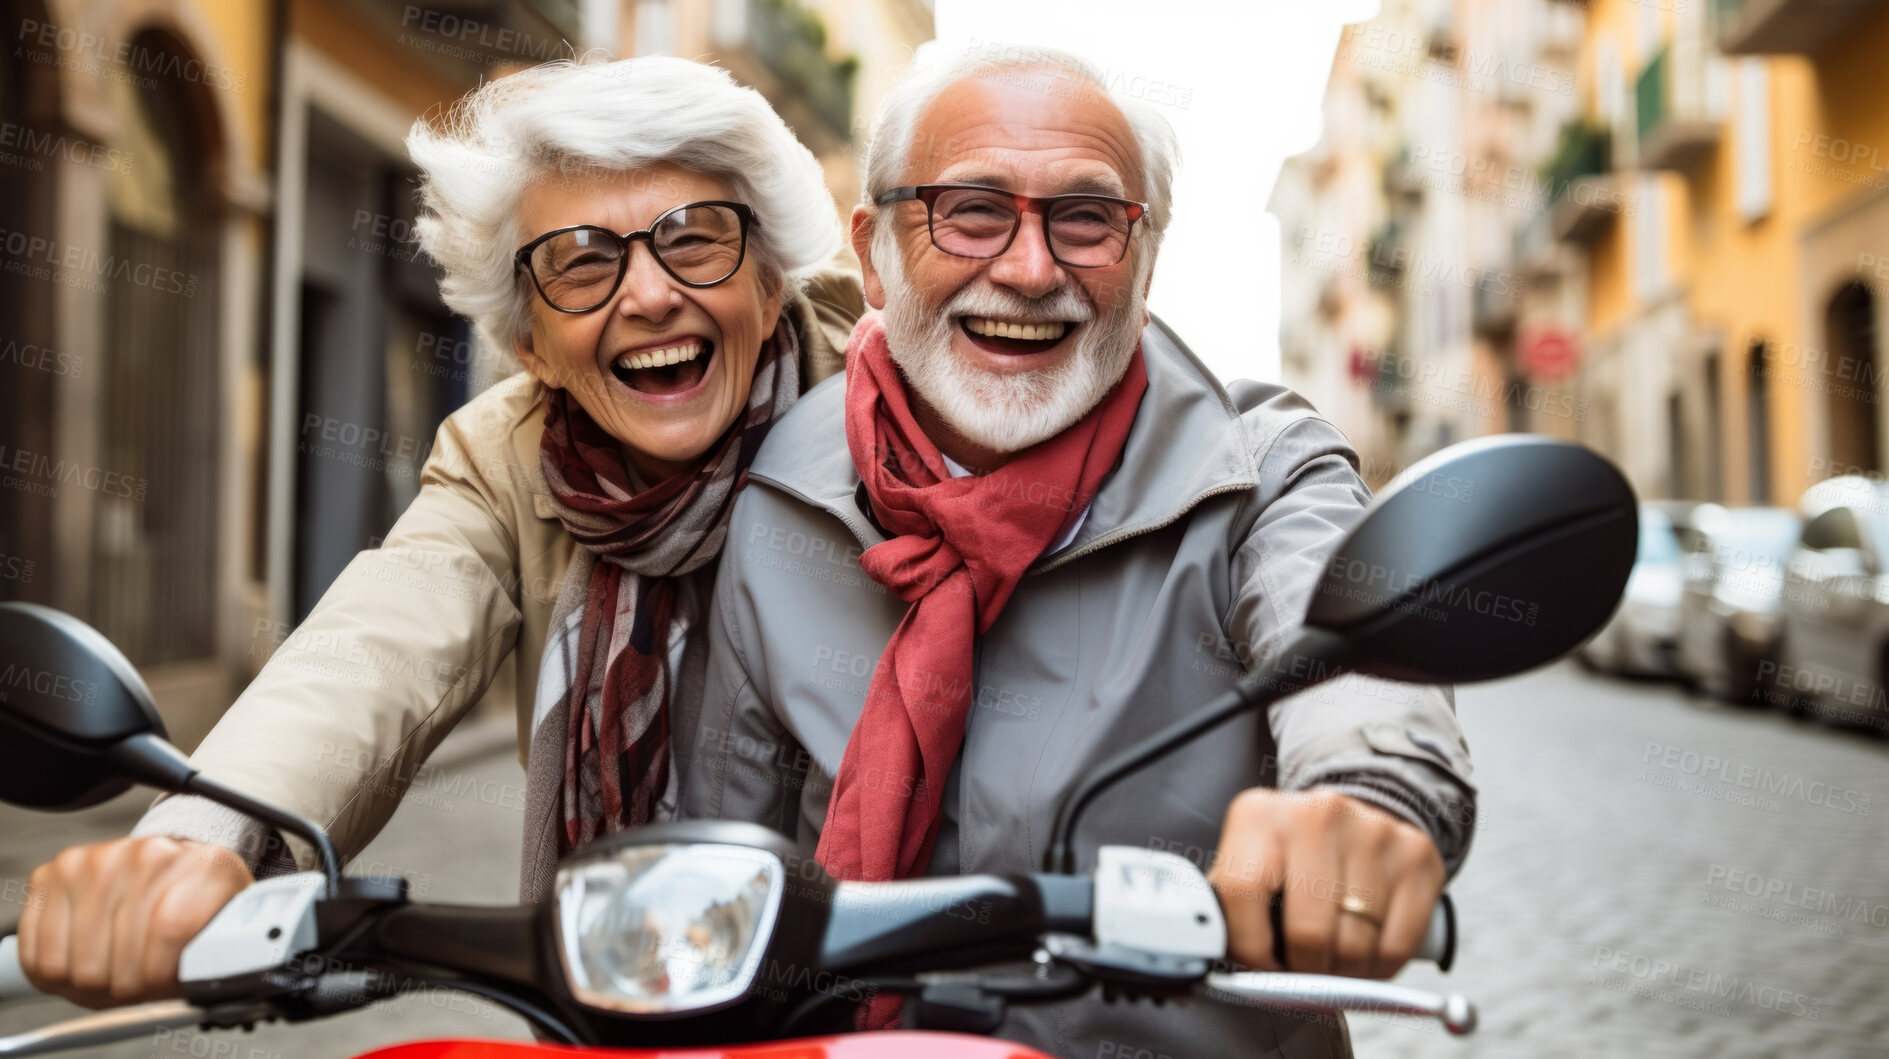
<point x="1486" y="560"/>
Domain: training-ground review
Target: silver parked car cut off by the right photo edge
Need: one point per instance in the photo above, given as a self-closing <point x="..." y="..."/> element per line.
<point x="1833" y="654"/>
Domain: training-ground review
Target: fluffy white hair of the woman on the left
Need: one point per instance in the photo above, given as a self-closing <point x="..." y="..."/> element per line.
<point x="587" y="118"/>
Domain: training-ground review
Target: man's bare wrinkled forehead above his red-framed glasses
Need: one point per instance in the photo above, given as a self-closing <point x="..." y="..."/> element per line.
<point x="1032" y="131"/>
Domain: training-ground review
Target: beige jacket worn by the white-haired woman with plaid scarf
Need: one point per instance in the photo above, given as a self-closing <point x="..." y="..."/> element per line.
<point x="413" y="633"/>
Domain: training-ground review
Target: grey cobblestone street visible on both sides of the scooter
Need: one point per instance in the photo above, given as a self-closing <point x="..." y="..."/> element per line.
<point x="1654" y="875"/>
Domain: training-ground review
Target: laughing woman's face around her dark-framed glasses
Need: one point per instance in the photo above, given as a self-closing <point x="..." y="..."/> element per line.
<point x="662" y="367"/>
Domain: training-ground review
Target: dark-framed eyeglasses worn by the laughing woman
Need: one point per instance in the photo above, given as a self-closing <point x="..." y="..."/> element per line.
<point x="579" y="269"/>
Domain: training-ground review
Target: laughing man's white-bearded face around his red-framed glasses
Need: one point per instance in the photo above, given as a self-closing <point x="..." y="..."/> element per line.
<point x="1012" y="350"/>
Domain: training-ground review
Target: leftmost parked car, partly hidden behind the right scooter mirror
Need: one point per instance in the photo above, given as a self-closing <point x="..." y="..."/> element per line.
<point x="1644" y="633"/>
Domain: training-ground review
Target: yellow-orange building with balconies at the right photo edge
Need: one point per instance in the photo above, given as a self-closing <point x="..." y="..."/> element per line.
<point x="1733" y="314"/>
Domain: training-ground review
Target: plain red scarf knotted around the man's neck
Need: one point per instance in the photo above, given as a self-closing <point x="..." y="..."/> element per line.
<point x="959" y="548"/>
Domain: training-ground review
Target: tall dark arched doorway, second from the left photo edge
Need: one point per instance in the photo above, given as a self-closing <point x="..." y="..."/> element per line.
<point x="160" y="426"/>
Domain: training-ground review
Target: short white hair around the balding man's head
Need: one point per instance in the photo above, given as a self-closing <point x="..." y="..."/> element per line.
<point x="891" y="143"/>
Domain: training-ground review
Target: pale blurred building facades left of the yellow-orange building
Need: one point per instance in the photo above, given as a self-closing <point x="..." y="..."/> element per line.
<point x="1404" y="311"/>
